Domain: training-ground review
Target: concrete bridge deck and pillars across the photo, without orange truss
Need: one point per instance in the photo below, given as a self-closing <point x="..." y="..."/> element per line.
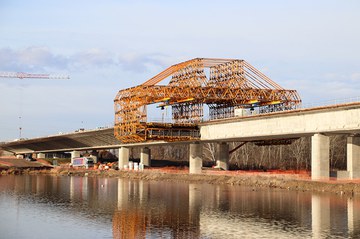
<point x="319" y="123"/>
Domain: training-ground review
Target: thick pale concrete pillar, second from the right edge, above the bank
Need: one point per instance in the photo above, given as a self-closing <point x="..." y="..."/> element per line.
<point x="320" y="148"/>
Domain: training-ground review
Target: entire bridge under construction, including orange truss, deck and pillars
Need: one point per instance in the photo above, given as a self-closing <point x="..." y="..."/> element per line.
<point x="224" y="86"/>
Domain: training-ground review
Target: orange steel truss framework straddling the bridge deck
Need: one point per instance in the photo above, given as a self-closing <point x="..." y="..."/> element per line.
<point x="222" y="84"/>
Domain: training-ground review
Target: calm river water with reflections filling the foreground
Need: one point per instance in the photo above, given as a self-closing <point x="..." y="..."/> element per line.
<point x="82" y="207"/>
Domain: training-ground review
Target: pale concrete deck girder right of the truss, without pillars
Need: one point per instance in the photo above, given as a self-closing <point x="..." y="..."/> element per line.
<point x="337" y="119"/>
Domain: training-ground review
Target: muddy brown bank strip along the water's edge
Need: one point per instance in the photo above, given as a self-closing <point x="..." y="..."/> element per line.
<point x="294" y="182"/>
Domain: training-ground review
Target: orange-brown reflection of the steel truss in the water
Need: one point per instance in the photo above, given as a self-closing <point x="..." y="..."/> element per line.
<point x="154" y="210"/>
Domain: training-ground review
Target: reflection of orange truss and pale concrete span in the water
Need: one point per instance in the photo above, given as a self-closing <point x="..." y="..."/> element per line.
<point x="200" y="210"/>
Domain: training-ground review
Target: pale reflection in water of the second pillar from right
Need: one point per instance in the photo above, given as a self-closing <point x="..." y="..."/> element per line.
<point x="320" y="215"/>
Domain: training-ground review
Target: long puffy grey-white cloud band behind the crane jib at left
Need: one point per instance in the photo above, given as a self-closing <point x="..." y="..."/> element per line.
<point x="43" y="59"/>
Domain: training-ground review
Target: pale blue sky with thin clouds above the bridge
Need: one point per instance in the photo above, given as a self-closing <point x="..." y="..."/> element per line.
<point x="105" y="46"/>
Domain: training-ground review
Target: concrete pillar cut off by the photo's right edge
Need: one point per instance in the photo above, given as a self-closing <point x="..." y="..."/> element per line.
<point x="353" y="157"/>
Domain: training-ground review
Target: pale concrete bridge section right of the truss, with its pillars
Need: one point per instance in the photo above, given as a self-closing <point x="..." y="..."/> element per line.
<point x="318" y="123"/>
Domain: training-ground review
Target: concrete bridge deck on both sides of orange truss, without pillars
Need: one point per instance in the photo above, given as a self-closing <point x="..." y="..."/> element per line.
<point x="336" y="119"/>
